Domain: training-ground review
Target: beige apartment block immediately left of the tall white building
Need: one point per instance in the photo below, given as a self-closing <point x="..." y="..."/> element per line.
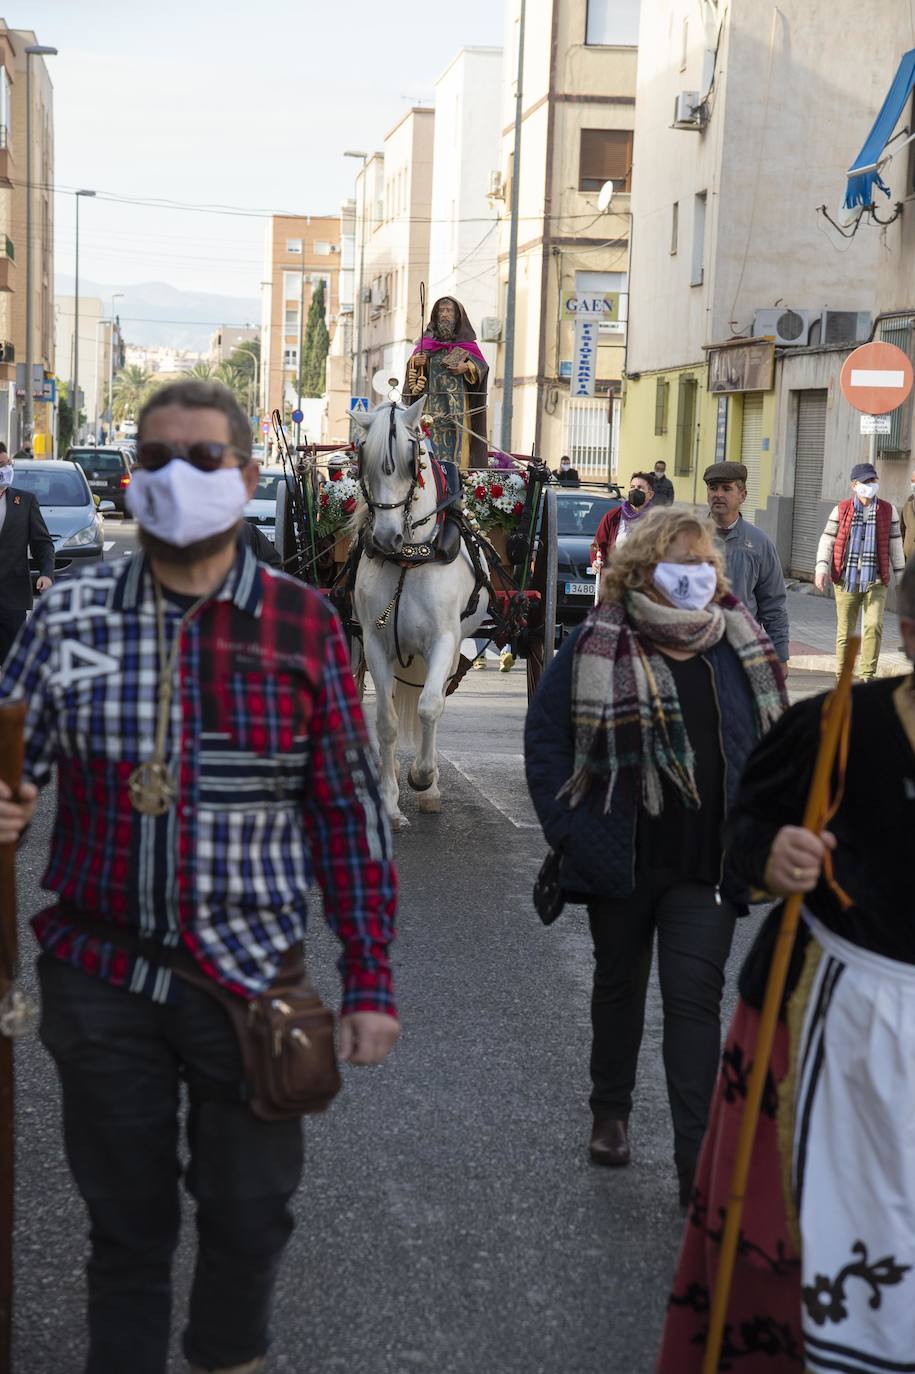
<point x="394" y="207"/>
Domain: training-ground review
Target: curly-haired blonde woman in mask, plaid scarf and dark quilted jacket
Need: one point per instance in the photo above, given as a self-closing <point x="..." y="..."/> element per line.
<point x="634" y="747"/>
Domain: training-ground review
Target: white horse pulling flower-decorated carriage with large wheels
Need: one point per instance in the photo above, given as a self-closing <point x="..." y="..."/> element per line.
<point x="416" y="576"/>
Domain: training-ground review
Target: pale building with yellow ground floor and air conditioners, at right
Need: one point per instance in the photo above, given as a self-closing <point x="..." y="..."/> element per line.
<point x="748" y="117"/>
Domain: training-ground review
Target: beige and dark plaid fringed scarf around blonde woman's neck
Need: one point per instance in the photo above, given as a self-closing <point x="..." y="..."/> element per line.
<point x="624" y="701"/>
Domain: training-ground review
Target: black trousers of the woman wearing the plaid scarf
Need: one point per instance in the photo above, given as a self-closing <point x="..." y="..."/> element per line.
<point x="694" y="942"/>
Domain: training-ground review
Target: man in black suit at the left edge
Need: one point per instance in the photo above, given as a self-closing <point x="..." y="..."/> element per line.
<point x="23" y="531"/>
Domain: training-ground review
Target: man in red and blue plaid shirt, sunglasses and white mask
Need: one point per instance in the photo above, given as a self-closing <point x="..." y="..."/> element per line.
<point x="212" y="763"/>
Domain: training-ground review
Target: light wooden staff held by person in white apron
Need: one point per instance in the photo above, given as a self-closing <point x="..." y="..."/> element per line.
<point x="833" y="722"/>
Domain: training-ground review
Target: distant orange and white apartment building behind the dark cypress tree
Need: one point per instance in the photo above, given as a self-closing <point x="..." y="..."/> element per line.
<point x="300" y="252"/>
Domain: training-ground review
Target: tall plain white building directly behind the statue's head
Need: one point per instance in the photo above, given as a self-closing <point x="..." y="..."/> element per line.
<point x="464" y="238"/>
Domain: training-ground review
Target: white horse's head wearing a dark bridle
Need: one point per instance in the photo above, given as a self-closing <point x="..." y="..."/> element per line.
<point x="389" y="472"/>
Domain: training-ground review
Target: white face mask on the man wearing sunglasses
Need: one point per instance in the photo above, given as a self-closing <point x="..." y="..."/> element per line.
<point x="182" y="505"/>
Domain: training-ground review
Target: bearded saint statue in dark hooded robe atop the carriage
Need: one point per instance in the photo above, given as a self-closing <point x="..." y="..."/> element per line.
<point x="449" y="368"/>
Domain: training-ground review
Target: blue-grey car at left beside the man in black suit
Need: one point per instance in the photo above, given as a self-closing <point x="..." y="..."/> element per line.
<point x="75" y="521"/>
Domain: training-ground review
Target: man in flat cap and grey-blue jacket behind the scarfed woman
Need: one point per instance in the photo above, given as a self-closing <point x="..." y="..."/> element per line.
<point x="754" y="565"/>
